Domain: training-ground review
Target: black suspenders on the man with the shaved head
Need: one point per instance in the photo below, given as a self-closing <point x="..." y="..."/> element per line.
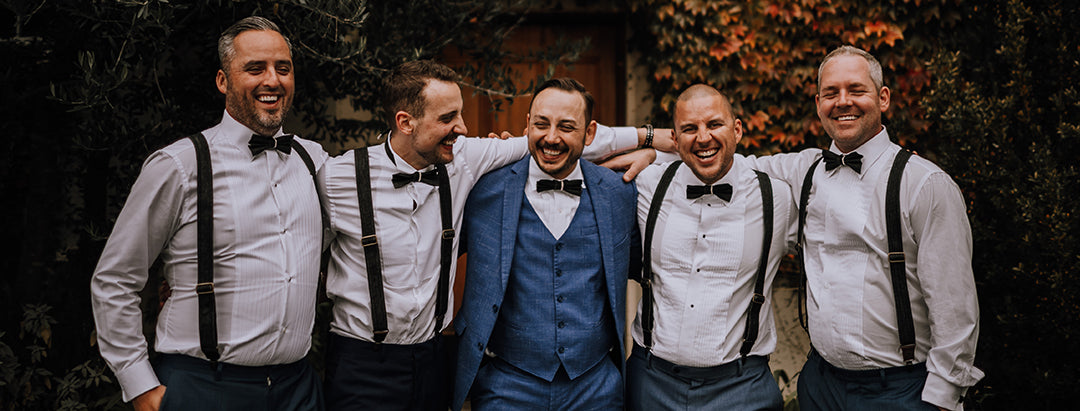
<point x="750" y="336"/>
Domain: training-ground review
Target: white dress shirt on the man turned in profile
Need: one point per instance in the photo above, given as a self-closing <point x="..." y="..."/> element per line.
<point x="409" y="226"/>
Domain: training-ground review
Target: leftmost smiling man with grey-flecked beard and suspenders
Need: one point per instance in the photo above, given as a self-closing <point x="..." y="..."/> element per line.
<point x="246" y="350"/>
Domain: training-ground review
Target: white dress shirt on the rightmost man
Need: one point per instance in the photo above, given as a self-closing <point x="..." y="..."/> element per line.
<point x="850" y="299"/>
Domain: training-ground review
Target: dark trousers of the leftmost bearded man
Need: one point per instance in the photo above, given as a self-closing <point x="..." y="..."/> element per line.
<point x="194" y="385"/>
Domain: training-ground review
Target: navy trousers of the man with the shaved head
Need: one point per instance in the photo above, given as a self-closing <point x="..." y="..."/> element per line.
<point x="654" y="383"/>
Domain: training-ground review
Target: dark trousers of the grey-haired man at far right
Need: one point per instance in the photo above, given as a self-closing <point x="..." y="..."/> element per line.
<point x="823" y="387"/>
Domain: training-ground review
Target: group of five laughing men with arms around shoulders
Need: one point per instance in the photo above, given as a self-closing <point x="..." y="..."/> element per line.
<point x="240" y="215"/>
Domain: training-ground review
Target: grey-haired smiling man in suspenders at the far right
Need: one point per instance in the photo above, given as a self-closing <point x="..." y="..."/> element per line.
<point x="892" y="330"/>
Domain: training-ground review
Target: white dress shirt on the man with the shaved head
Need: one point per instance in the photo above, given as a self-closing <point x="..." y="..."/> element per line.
<point x="706" y="255"/>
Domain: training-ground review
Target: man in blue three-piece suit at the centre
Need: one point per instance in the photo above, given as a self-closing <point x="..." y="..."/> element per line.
<point x="551" y="240"/>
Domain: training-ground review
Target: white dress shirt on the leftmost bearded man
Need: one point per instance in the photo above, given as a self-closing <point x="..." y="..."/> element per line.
<point x="267" y="238"/>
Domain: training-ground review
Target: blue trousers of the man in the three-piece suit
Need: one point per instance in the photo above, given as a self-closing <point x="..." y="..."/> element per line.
<point x="503" y="387"/>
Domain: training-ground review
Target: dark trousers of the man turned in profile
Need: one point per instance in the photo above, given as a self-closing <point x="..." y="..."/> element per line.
<point x="366" y="376"/>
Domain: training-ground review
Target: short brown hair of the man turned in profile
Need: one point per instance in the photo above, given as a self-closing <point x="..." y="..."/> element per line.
<point x="403" y="90"/>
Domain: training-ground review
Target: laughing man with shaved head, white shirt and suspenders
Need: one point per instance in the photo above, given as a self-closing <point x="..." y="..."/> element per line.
<point x="705" y="327"/>
